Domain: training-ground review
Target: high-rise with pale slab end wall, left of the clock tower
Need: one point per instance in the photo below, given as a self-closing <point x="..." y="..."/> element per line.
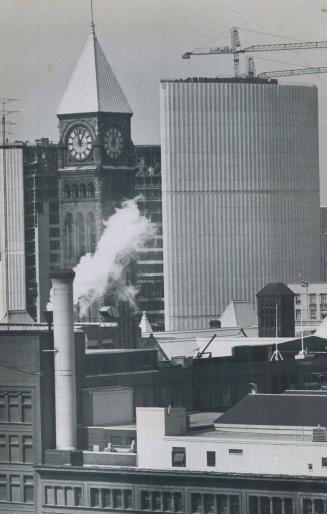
<point x="29" y="228"/>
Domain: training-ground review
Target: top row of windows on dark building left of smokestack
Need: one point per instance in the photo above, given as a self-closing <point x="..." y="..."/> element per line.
<point x="15" y="407"/>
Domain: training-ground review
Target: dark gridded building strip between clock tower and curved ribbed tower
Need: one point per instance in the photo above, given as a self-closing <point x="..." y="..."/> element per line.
<point x="149" y="267"/>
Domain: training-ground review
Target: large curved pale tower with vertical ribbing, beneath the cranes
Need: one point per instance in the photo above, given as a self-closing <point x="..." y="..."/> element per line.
<point x="240" y="192"/>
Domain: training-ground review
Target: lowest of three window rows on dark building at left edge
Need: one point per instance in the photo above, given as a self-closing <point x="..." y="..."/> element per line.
<point x="16" y="488"/>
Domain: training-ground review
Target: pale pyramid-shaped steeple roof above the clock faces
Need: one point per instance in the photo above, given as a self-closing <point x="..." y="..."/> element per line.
<point x="93" y="86"/>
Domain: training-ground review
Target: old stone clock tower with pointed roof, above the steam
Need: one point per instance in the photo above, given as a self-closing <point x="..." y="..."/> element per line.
<point x="95" y="152"/>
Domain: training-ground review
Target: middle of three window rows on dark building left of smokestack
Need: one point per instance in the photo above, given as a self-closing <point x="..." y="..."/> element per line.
<point x="16" y="448"/>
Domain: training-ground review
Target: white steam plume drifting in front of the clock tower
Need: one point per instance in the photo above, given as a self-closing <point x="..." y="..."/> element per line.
<point x="125" y="233"/>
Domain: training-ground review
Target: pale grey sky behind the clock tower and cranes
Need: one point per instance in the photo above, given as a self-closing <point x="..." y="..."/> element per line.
<point x="41" y="41"/>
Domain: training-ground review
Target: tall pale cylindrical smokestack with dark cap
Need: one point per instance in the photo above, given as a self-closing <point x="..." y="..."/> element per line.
<point x="63" y="333"/>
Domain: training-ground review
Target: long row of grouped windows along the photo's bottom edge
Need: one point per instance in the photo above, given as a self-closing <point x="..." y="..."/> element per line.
<point x="157" y="500"/>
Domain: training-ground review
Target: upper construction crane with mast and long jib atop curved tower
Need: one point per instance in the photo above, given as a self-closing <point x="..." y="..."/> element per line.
<point x="235" y="49"/>
